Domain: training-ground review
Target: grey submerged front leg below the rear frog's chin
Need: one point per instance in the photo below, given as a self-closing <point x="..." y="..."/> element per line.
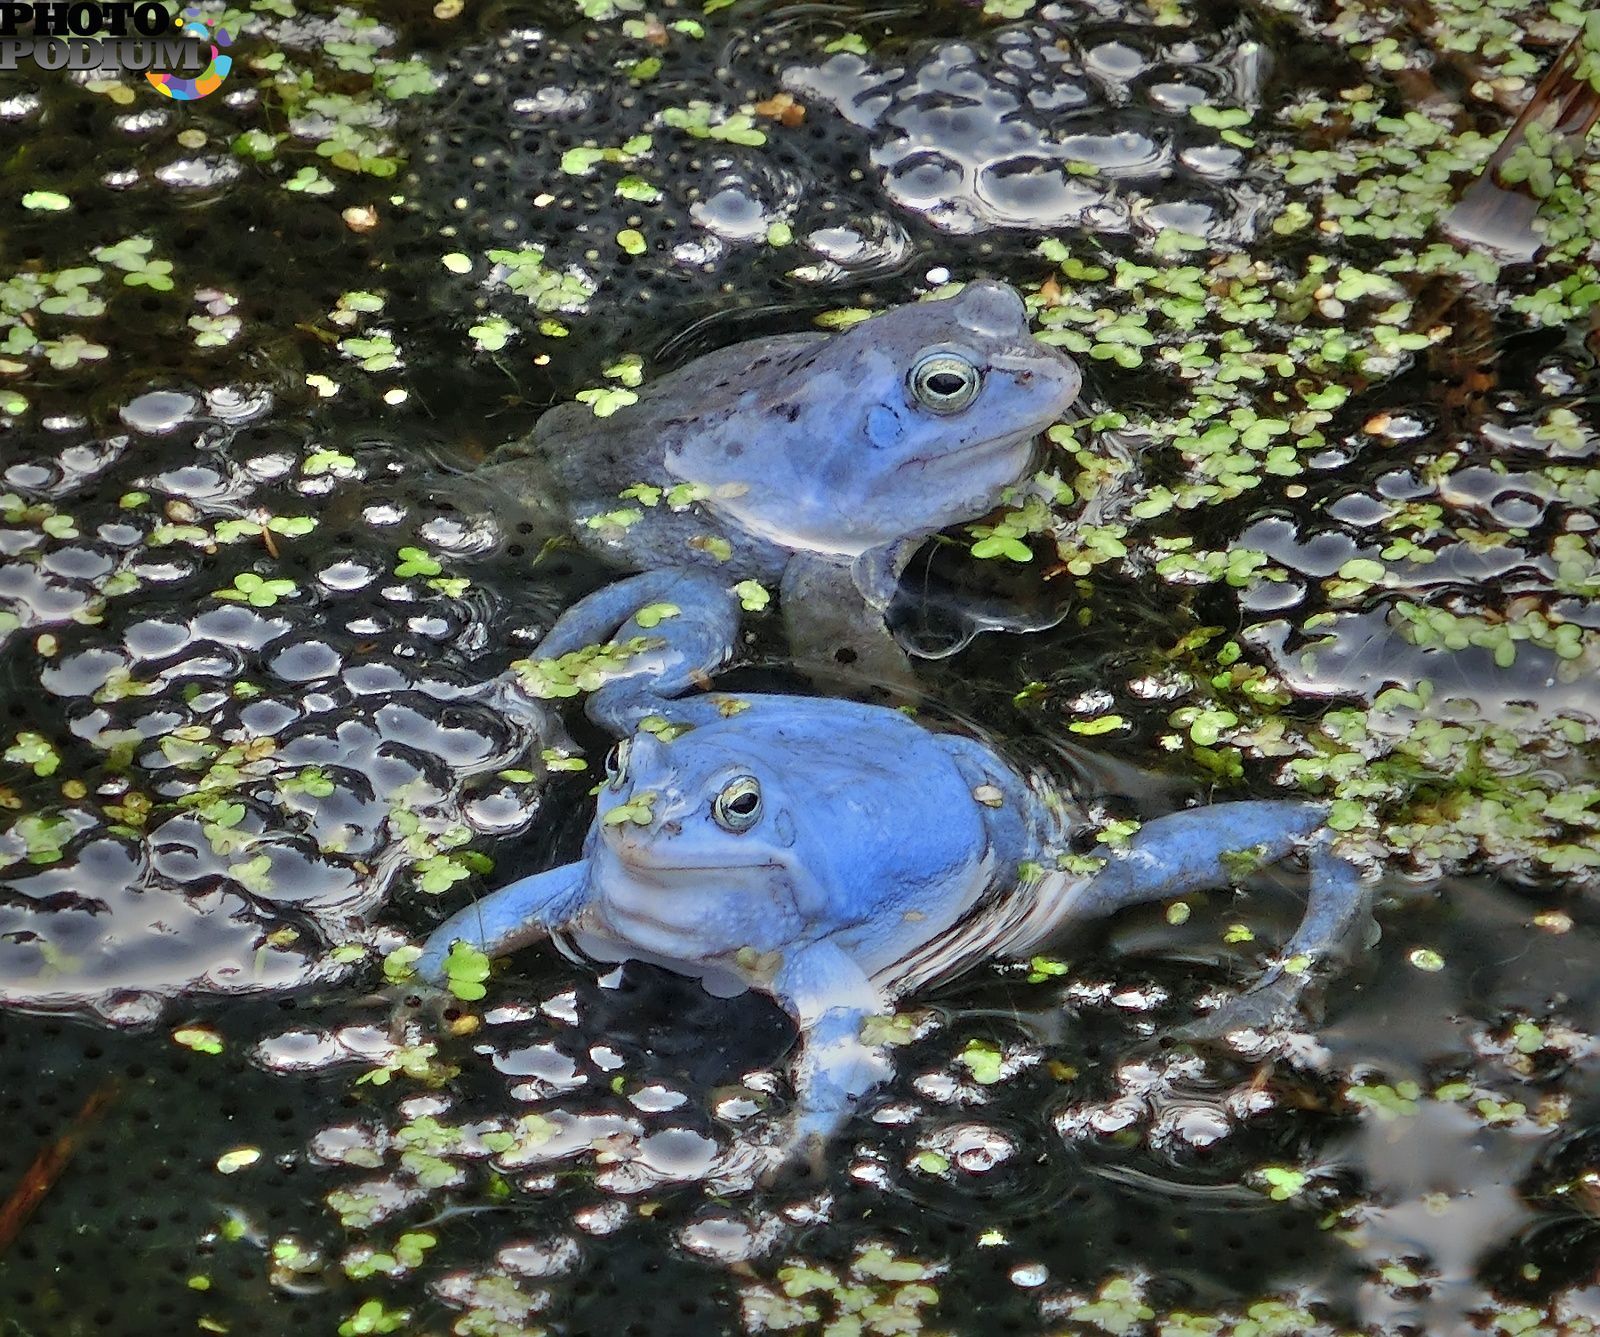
<point x="833" y="621"/>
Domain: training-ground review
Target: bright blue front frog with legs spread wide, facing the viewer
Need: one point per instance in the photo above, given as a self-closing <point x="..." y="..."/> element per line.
<point x="841" y="856"/>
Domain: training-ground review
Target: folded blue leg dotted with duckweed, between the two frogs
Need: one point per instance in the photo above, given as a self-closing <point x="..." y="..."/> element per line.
<point x="687" y="623"/>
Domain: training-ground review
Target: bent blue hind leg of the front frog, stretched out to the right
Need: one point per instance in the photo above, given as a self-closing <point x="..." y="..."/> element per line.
<point x="1204" y="848"/>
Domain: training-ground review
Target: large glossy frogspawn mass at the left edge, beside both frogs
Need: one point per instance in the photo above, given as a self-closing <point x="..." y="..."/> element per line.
<point x="258" y="760"/>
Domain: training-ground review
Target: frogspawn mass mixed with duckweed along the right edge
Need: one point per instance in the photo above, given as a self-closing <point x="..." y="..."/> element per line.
<point x="1455" y="546"/>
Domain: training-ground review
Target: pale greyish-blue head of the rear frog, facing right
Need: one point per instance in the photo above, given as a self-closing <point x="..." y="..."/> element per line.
<point x="903" y="425"/>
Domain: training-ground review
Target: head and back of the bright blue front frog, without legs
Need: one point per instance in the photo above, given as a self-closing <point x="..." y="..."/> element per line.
<point x="777" y="828"/>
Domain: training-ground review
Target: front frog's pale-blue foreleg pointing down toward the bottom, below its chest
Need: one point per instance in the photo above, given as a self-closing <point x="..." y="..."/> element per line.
<point x="830" y="996"/>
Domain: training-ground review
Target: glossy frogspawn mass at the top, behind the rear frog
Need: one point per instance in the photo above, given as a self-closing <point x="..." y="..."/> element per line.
<point x="847" y="170"/>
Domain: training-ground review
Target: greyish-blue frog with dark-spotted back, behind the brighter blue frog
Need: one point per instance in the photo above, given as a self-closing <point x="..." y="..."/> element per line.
<point x="809" y="461"/>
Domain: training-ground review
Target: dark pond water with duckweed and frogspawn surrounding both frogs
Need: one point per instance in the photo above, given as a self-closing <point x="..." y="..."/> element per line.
<point x="1326" y="525"/>
